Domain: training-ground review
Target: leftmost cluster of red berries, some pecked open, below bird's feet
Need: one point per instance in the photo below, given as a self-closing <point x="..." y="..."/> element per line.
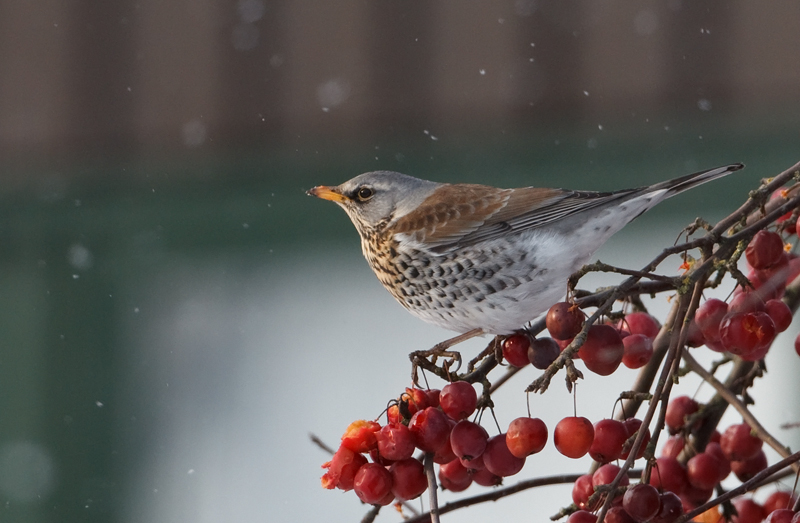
<point x="434" y="422"/>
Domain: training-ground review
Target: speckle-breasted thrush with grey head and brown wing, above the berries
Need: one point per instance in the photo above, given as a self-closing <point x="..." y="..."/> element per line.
<point x="467" y="257"/>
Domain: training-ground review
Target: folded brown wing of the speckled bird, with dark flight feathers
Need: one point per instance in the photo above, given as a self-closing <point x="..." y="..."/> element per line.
<point x="461" y="215"/>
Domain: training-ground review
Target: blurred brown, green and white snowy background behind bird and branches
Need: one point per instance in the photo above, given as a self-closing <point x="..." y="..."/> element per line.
<point x="176" y="316"/>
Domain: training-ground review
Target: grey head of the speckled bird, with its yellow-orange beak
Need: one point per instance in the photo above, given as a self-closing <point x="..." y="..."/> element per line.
<point x="377" y="198"/>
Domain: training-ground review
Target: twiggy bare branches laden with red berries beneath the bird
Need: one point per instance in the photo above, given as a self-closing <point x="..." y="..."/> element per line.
<point x="683" y="483"/>
